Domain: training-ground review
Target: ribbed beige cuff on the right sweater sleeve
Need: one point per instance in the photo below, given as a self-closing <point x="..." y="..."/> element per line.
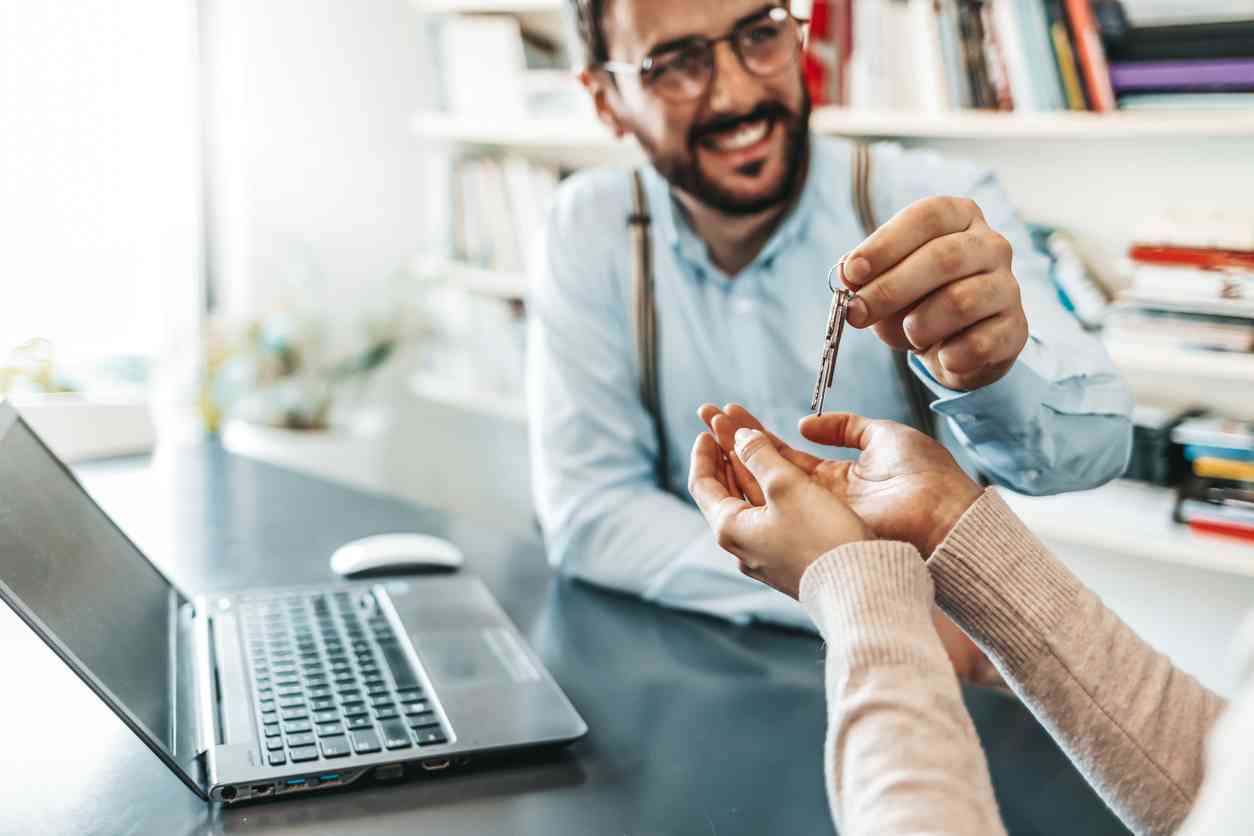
<point x="1001" y="585"/>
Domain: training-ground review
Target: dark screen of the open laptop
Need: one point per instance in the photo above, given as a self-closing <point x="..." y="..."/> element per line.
<point x="66" y="562"/>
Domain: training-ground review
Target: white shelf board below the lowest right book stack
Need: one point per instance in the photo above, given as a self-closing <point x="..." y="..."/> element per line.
<point x="1133" y="520"/>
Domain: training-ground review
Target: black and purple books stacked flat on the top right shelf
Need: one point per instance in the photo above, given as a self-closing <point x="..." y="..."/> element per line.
<point x="1191" y="62"/>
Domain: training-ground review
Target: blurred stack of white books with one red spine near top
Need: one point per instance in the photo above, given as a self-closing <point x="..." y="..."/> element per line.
<point x="1192" y="289"/>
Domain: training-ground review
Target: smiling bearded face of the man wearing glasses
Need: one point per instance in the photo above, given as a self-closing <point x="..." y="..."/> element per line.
<point x="739" y="147"/>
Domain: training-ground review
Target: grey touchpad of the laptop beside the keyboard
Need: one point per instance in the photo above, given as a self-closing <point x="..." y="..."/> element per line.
<point x="475" y="657"/>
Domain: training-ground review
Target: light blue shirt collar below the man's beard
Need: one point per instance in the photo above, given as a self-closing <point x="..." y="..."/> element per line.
<point x="673" y="227"/>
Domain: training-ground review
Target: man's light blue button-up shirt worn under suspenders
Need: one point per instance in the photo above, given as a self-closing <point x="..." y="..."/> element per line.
<point x="1058" y="422"/>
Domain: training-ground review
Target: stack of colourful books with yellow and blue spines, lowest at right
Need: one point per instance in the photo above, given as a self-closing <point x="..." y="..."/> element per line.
<point x="1220" y="496"/>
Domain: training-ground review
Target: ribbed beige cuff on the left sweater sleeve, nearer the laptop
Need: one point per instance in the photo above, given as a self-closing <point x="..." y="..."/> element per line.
<point x="867" y="600"/>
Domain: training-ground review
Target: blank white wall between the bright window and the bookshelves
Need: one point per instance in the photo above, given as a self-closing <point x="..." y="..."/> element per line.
<point x="313" y="171"/>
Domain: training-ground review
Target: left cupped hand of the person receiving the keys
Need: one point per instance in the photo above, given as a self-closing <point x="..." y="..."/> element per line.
<point x="798" y="522"/>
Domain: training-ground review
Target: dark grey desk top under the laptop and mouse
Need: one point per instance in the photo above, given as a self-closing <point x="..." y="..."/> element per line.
<point x="698" y="728"/>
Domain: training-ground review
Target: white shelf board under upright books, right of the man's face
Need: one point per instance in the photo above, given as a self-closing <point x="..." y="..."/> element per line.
<point x="975" y="125"/>
